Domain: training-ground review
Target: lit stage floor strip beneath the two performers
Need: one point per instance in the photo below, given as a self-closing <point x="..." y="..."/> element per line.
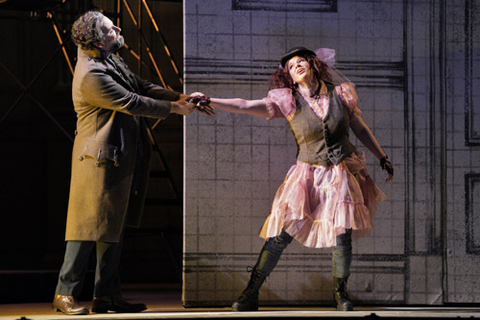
<point x="167" y="305"/>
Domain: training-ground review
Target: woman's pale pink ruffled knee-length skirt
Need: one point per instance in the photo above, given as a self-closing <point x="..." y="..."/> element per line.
<point x="315" y="204"/>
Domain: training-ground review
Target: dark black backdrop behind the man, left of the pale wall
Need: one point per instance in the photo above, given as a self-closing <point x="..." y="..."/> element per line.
<point x="37" y="122"/>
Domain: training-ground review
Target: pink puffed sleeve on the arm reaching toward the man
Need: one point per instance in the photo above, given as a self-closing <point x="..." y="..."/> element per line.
<point x="280" y="103"/>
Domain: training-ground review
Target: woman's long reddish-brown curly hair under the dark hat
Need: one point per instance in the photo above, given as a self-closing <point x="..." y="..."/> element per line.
<point x="281" y="78"/>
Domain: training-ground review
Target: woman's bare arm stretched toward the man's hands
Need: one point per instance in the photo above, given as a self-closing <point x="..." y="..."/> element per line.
<point x="257" y="108"/>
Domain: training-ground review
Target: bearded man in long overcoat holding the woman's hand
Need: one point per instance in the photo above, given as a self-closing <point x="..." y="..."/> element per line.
<point x="110" y="162"/>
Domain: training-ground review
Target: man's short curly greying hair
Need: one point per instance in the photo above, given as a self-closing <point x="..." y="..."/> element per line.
<point x="86" y="30"/>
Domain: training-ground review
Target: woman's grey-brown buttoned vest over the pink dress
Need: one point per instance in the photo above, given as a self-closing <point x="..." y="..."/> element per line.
<point x="322" y="142"/>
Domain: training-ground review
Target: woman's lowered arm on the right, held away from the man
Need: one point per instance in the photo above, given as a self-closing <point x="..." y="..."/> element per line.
<point x="365" y="135"/>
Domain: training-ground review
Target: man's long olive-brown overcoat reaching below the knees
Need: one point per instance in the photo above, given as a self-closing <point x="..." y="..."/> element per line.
<point x="111" y="152"/>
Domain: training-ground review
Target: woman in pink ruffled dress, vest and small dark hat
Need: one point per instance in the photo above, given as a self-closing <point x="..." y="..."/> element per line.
<point x="327" y="195"/>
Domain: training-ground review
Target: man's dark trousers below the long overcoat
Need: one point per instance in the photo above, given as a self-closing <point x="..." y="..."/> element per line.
<point x="75" y="264"/>
